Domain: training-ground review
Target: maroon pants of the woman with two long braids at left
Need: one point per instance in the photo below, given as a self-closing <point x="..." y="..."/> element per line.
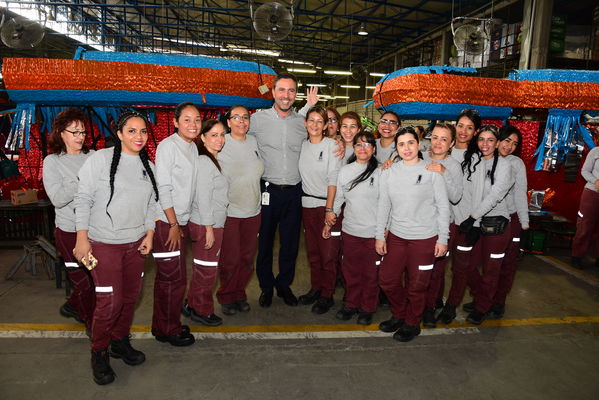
<point x="118" y="279"/>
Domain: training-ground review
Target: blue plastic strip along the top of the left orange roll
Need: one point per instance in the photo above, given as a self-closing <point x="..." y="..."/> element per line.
<point x="225" y="64"/>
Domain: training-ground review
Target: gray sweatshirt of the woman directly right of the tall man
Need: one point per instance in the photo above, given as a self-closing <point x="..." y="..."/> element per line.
<point x="318" y="168"/>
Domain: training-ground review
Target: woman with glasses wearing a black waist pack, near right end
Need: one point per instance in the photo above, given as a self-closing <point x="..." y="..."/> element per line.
<point x="485" y="233"/>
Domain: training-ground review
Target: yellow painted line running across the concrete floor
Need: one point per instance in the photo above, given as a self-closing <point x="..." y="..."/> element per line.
<point x="310" y="328"/>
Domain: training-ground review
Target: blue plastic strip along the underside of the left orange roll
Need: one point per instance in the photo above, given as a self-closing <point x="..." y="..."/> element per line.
<point x="118" y="97"/>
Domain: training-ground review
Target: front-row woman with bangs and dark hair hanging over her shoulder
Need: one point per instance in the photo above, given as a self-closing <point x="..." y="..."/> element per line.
<point x="358" y="189"/>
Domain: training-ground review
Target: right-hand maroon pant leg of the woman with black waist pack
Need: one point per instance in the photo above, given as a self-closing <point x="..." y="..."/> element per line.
<point x="492" y="252"/>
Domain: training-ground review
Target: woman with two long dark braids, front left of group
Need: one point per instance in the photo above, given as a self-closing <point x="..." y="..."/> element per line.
<point x="115" y="212"/>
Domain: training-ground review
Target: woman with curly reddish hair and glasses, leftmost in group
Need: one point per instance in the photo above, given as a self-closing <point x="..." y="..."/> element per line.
<point x="68" y="153"/>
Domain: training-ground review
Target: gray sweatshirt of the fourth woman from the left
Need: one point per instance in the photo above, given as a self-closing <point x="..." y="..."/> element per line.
<point x="210" y="202"/>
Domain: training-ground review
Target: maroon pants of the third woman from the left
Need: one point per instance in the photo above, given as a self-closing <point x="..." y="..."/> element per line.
<point x="170" y="282"/>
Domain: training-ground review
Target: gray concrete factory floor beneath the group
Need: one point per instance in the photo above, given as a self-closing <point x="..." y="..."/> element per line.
<point x="546" y="347"/>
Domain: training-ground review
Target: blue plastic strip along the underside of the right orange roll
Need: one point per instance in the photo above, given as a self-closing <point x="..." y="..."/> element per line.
<point x="443" y="111"/>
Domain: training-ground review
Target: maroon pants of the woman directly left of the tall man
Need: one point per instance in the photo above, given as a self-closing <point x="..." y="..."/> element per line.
<point x="236" y="264"/>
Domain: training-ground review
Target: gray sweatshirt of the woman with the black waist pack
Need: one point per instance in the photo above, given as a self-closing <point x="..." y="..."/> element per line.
<point x="480" y="198"/>
